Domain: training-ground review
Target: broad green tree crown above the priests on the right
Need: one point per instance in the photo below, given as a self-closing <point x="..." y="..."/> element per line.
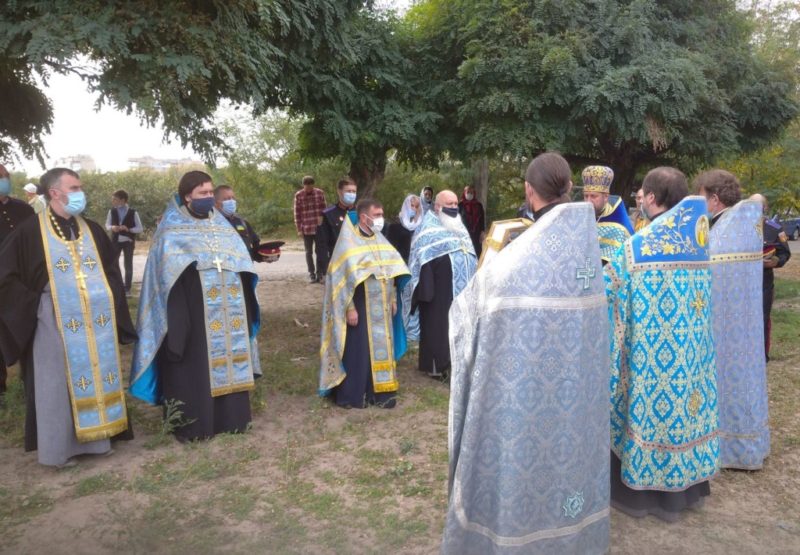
<point x="632" y="83"/>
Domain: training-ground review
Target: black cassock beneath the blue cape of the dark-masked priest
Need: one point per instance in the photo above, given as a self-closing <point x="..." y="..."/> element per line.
<point x="183" y="365"/>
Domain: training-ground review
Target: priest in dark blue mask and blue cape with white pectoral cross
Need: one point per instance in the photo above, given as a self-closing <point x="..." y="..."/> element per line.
<point x="198" y="318"/>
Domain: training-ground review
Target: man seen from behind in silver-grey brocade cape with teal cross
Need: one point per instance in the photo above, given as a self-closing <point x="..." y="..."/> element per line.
<point x="529" y="403"/>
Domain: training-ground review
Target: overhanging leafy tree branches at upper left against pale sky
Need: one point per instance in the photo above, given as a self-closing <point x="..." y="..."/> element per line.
<point x="172" y="62"/>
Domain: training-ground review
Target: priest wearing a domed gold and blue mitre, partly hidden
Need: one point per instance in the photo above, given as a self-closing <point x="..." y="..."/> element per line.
<point x="613" y="224"/>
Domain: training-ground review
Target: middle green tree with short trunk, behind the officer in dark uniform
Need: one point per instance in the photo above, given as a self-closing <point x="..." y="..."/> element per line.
<point x="364" y="106"/>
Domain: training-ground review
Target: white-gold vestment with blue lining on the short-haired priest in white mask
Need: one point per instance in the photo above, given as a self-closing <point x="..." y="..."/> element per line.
<point x="373" y="261"/>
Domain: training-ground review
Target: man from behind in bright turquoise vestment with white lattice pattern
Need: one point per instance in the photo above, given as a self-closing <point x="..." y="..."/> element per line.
<point x="664" y="413"/>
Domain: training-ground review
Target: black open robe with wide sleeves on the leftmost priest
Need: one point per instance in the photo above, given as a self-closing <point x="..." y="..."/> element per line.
<point x="23" y="277"/>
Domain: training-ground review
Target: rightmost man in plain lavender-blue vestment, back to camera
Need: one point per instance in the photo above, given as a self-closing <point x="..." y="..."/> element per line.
<point x="736" y="264"/>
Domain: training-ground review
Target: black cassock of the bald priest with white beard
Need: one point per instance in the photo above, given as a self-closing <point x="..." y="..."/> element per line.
<point x="432" y="298"/>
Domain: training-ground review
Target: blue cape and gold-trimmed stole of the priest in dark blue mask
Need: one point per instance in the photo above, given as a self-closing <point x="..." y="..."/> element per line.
<point x="220" y="256"/>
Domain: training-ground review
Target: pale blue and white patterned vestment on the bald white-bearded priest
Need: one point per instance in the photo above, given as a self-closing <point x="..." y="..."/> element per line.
<point x="430" y="241"/>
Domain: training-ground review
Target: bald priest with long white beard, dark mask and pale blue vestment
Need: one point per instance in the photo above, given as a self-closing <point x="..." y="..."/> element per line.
<point x="442" y="261"/>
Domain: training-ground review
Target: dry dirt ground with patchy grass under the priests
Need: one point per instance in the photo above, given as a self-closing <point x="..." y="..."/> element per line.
<point x="310" y="478"/>
